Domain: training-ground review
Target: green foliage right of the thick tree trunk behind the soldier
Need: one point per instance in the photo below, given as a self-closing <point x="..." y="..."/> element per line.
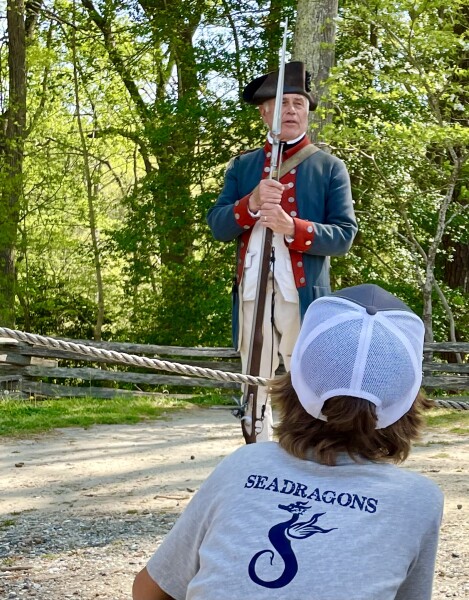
<point x="400" y="124"/>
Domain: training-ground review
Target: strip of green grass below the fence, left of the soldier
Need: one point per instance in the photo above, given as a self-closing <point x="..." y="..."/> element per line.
<point x="20" y="418"/>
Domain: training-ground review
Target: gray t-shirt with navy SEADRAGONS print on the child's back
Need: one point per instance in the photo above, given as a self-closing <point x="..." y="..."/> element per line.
<point x="267" y="525"/>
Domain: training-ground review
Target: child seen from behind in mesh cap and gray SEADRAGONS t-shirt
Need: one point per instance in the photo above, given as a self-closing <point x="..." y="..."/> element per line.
<point x="322" y="514"/>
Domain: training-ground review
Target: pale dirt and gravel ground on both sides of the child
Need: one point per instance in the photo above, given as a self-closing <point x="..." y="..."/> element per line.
<point x="81" y="510"/>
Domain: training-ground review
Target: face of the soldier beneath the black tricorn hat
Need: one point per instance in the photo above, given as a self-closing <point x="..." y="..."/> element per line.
<point x="295" y="110"/>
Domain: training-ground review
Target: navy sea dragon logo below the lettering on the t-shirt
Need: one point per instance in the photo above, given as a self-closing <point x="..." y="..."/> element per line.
<point x="280" y="536"/>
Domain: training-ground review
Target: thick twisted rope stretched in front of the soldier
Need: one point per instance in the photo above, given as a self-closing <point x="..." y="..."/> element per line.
<point x="154" y="363"/>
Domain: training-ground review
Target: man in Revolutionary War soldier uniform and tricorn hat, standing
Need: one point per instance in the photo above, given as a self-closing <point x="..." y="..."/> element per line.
<point x="309" y="210"/>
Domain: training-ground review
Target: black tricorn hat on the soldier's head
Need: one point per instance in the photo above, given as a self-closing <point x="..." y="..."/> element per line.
<point x="297" y="81"/>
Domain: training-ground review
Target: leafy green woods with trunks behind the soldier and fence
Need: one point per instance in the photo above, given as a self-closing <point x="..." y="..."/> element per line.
<point x="117" y="121"/>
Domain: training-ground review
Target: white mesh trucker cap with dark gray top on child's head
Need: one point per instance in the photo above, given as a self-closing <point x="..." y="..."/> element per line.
<point x="360" y="341"/>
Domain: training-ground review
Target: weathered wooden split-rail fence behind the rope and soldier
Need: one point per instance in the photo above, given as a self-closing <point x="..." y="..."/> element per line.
<point x="40" y="370"/>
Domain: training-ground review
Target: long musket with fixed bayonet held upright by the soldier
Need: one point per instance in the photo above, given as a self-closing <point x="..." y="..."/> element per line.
<point x="257" y="338"/>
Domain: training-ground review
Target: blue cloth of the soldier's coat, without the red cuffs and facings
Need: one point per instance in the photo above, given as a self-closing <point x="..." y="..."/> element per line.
<point x="323" y="196"/>
